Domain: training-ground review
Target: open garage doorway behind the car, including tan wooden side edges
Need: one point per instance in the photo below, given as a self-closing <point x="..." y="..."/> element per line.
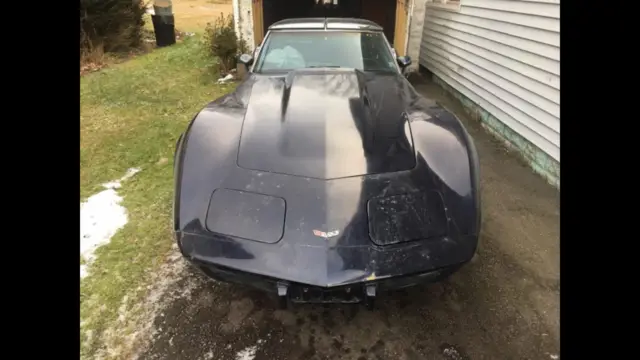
<point x="390" y="14"/>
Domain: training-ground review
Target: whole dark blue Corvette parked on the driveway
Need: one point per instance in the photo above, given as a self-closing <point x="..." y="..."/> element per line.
<point x="325" y="177"/>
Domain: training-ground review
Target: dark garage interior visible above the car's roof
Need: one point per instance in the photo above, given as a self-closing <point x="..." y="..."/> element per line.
<point x="382" y="12"/>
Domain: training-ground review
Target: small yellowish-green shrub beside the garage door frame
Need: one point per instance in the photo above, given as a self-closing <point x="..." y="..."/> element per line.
<point x="222" y="43"/>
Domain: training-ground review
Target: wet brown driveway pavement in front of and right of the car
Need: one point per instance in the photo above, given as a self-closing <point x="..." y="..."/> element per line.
<point x="502" y="305"/>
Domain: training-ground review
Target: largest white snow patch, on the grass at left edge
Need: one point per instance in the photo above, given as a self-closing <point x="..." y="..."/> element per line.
<point x="101" y="216"/>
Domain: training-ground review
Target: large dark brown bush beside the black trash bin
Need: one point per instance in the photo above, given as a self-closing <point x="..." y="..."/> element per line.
<point x="111" y="25"/>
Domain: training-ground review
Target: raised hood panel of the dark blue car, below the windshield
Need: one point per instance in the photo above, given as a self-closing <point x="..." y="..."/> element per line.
<point x="326" y="124"/>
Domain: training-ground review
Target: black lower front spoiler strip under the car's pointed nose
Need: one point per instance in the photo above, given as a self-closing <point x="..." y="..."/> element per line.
<point x="358" y="292"/>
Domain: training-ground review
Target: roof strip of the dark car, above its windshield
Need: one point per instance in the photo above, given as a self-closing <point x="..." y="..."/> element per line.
<point x="325" y="23"/>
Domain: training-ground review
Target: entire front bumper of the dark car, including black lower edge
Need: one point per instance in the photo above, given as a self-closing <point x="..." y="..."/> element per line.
<point x="325" y="273"/>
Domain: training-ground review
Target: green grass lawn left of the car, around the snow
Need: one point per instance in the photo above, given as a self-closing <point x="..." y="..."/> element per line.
<point x="131" y="115"/>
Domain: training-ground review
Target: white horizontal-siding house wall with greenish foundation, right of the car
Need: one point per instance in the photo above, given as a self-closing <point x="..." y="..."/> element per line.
<point x="502" y="59"/>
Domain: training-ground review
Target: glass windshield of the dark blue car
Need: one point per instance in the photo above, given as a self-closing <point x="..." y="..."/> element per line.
<point x="285" y="51"/>
